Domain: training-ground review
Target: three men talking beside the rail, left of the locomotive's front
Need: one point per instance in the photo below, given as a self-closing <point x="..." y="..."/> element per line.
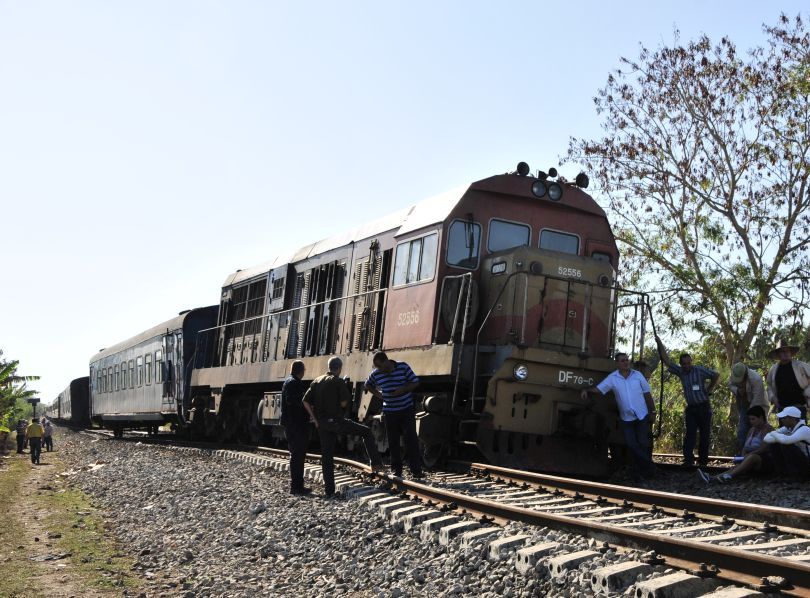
<point x="324" y="403"/>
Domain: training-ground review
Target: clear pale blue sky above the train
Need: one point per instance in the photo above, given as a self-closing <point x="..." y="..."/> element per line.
<point x="149" y="149"/>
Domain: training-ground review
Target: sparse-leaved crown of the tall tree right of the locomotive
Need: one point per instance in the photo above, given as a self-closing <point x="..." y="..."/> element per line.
<point x="704" y="167"/>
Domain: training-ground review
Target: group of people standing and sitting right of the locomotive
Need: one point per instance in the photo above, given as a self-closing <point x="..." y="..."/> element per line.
<point x="762" y="449"/>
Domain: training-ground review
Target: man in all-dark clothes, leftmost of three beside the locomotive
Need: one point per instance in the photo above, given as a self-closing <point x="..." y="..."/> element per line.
<point x="295" y="420"/>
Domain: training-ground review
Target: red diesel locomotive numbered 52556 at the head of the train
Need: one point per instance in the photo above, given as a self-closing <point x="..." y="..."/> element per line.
<point x="501" y="295"/>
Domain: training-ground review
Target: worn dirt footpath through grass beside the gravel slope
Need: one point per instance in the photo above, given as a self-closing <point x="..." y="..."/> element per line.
<point x="55" y="574"/>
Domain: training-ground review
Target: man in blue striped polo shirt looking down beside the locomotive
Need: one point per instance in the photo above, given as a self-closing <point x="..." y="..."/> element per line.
<point x="393" y="382"/>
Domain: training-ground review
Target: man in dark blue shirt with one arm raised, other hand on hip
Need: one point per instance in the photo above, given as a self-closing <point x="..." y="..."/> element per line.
<point x="698" y="413"/>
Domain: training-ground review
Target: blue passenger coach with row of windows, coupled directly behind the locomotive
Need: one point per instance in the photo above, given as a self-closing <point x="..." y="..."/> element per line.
<point x="143" y="382"/>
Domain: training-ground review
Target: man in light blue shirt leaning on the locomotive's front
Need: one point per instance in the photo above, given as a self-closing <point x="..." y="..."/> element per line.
<point x="636" y="410"/>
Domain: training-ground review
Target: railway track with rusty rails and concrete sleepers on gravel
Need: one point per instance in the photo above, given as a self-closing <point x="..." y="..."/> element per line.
<point x="702" y="542"/>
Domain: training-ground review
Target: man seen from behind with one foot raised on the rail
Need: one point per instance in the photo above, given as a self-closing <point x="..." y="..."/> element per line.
<point x="326" y="400"/>
